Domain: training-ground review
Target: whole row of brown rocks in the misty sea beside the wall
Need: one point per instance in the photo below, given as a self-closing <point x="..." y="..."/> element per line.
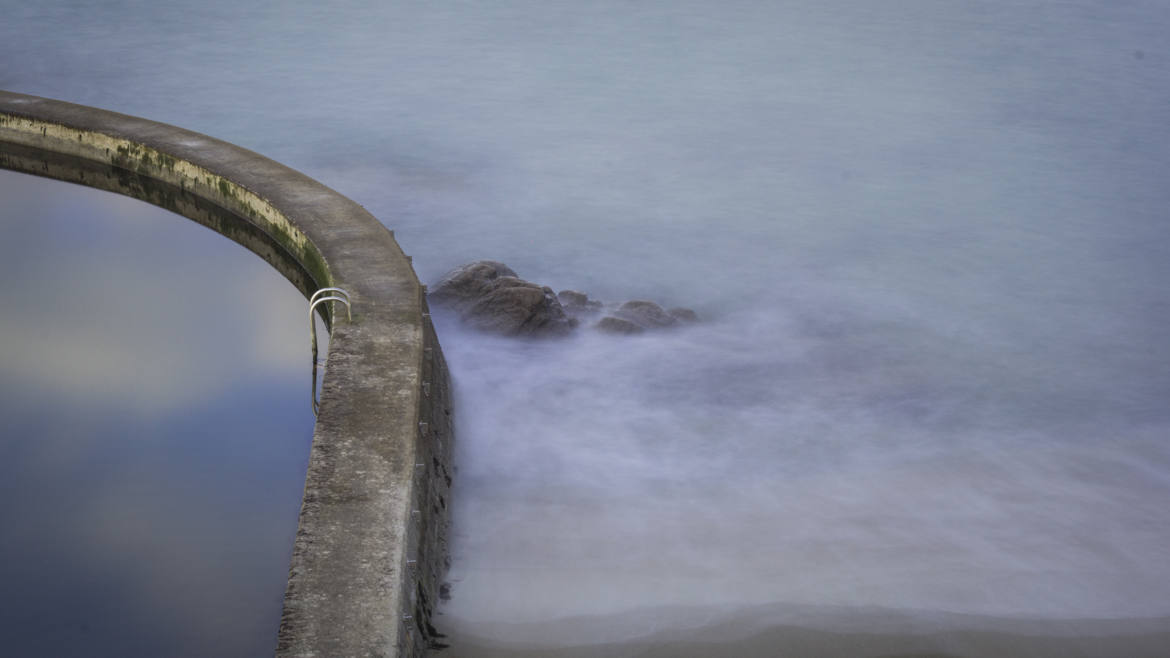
<point x="491" y="297"/>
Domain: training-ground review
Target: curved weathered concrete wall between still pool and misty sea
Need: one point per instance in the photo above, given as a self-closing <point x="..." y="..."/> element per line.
<point x="371" y="546"/>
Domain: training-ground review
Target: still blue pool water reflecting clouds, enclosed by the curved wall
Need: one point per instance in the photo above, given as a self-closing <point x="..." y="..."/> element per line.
<point x="156" y="430"/>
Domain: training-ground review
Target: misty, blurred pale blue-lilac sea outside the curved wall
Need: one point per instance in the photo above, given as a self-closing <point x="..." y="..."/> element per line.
<point x="928" y="242"/>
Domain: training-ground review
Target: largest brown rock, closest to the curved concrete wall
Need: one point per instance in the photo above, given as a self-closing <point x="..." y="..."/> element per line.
<point x="491" y="297"/>
